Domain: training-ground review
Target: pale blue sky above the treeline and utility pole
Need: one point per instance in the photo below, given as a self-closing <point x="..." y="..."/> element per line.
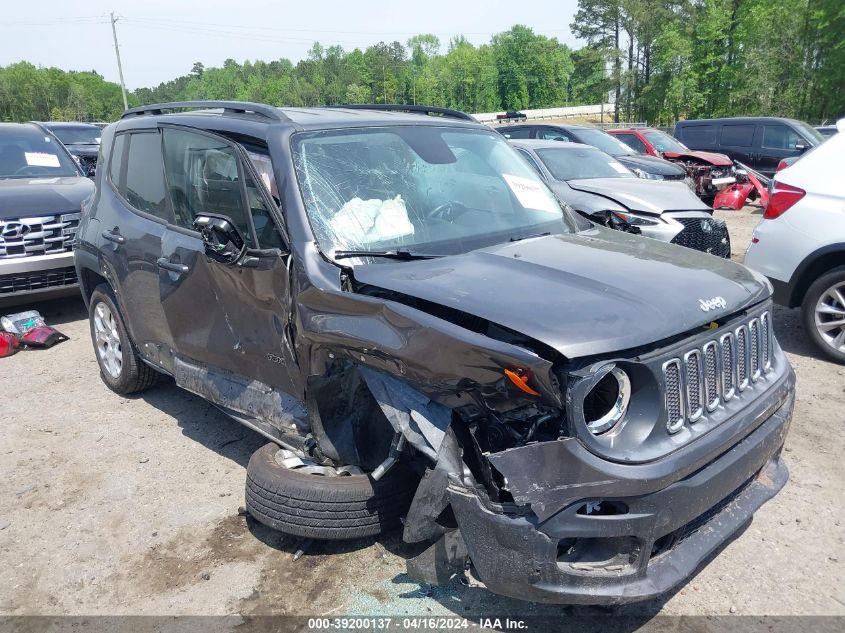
<point x="161" y="39"/>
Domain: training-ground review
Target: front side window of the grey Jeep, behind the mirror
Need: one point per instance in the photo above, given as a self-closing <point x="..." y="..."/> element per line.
<point x="203" y="176"/>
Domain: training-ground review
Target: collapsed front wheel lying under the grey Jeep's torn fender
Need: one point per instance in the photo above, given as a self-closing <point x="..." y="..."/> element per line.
<point x="339" y="506"/>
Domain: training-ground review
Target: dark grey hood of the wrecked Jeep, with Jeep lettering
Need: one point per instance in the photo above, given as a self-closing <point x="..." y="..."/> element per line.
<point x="594" y="292"/>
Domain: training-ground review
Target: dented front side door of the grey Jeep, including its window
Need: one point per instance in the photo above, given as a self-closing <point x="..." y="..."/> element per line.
<point x="228" y="319"/>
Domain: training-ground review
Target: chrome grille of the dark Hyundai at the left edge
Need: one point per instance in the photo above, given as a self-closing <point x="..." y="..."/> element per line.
<point x="42" y="235"/>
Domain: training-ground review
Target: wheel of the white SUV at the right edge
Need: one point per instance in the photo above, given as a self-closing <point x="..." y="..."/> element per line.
<point x="823" y="312"/>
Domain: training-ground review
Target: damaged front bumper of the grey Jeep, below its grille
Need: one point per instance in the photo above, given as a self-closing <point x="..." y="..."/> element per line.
<point x="657" y="543"/>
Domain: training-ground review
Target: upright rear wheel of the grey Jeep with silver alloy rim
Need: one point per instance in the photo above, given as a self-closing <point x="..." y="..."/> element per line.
<point x="121" y="368"/>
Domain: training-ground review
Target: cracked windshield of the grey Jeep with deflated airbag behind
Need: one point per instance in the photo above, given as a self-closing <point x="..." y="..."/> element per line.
<point x="421" y="189"/>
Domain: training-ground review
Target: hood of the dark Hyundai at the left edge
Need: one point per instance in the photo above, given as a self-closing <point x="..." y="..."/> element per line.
<point x="26" y="197"/>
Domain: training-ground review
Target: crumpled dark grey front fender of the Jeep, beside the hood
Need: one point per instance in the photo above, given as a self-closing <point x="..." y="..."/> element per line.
<point x="443" y="360"/>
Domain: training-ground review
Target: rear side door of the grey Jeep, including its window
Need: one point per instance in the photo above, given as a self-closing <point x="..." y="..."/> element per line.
<point x="132" y="229"/>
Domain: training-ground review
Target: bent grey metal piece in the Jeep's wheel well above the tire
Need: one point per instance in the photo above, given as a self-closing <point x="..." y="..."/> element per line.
<point x="422" y="421"/>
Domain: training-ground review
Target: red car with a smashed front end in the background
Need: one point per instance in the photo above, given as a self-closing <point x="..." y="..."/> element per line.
<point x="711" y="172"/>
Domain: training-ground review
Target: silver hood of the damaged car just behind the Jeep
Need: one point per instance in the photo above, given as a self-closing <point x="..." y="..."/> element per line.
<point x="644" y="196"/>
